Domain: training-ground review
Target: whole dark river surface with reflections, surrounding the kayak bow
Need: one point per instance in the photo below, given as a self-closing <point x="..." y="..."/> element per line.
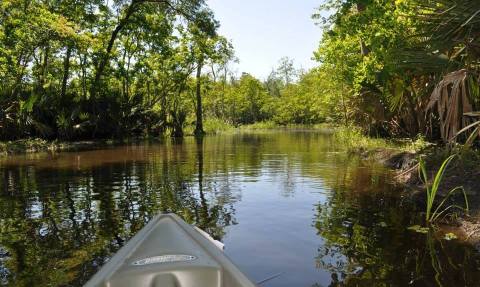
<point x="282" y="202"/>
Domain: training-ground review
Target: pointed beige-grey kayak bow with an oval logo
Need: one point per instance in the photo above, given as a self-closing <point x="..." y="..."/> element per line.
<point x="168" y="252"/>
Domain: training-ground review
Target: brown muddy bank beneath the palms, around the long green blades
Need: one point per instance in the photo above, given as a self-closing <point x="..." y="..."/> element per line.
<point x="464" y="171"/>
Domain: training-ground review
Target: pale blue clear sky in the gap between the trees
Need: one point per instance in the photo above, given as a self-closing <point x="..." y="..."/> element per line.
<point x="263" y="31"/>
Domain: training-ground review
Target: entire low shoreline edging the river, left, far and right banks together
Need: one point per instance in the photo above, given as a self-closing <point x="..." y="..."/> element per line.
<point x="399" y="155"/>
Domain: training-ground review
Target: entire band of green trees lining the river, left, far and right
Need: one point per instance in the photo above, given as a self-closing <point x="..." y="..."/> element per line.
<point x="91" y="69"/>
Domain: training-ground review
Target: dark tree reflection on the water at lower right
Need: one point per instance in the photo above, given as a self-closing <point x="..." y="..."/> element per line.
<point x="362" y="244"/>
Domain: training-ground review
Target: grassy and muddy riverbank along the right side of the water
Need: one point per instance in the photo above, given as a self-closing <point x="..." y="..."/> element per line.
<point x="401" y="156"/>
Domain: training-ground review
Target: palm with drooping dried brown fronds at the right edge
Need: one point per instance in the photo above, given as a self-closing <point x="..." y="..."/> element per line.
<point x="452" y="30"/>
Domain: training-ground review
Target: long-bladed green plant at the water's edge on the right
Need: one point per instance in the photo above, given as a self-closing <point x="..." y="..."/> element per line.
<point x="432" y="214"/>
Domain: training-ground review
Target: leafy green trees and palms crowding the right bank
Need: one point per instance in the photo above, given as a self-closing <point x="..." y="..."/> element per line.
<point x="409" y="66"/>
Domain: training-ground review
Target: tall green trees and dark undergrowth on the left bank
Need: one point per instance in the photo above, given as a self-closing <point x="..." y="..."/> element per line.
<point x="72" y="69"/>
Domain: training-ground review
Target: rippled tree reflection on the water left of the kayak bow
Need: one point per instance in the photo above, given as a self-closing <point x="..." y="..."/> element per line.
<point x="61" y="233"/>
